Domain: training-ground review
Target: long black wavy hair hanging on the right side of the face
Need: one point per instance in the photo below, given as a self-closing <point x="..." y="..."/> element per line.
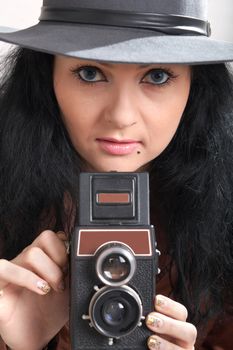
<point x="194" y="194"/>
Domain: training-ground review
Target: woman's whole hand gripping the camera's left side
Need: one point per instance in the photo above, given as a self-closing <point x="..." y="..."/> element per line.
<point x="34" y="296"/>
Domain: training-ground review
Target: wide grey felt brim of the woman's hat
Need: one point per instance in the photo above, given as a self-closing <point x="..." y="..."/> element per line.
<point x="120" y="45"/>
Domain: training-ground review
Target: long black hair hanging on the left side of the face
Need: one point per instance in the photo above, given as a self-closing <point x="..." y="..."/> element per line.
<point x="37" y="160"/>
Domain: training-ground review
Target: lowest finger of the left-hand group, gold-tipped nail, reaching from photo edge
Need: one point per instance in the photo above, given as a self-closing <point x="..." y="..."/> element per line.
<point x="19" y="276"/>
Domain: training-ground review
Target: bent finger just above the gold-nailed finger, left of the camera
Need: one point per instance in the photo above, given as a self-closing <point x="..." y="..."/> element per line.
<point x="36" y="260"/>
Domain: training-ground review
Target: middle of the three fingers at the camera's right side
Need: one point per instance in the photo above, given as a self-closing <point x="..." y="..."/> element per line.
<point x="183" y="332"/>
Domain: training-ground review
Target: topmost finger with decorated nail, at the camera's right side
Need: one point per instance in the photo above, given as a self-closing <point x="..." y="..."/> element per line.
<point x="171" y="308"/>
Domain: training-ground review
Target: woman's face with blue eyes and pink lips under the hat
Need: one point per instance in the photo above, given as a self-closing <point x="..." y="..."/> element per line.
<point x="120" y="116"/>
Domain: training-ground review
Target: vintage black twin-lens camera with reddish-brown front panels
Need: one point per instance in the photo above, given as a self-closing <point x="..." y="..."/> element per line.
<point x="113" y="263"/>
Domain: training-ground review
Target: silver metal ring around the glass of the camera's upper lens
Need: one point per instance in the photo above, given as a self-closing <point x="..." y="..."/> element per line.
<point x="114" y="250"/>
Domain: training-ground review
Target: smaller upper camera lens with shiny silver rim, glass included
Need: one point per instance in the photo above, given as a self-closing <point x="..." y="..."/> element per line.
<point x="115" y="264"/>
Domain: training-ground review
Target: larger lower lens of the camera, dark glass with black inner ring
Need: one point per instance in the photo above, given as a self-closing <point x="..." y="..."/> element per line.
<point x="115" y="311"/>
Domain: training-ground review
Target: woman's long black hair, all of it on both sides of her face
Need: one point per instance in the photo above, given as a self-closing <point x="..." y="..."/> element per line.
<point x="191" y="181"/>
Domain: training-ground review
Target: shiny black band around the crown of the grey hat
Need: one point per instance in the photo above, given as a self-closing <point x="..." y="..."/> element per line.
<point x="167" y="24"/>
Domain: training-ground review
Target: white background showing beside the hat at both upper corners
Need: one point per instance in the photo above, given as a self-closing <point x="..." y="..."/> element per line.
<point x="24" y="13"/>
